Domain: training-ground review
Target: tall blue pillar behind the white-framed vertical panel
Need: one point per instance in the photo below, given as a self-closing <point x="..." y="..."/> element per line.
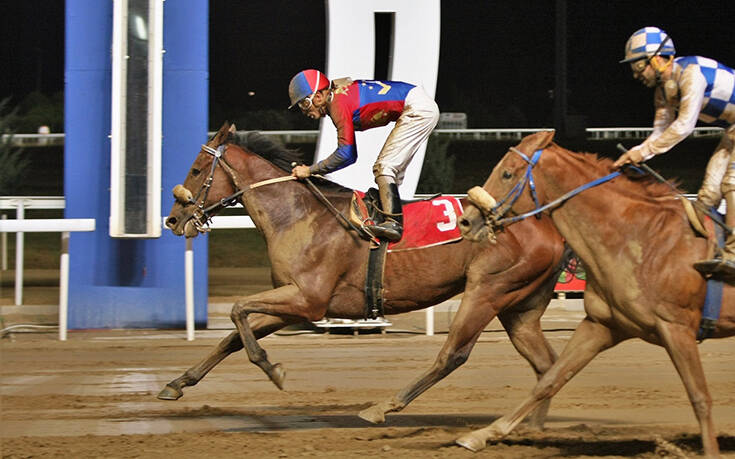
<point x="130" y="283"/>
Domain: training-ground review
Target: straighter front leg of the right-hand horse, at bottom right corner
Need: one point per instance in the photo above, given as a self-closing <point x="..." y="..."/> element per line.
<point x="681" y="345"/>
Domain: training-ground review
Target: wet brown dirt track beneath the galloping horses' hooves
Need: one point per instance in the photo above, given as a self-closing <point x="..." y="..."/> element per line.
<point x="94" y="396"/>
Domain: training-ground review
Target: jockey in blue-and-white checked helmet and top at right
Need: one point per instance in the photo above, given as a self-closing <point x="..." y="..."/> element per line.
<point x="686" y="89"/>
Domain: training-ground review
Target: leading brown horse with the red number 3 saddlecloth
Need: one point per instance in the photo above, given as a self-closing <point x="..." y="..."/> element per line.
<point x="319" y="267"/>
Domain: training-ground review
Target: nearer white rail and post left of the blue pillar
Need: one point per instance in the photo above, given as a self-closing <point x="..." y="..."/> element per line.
<point x="52" y="226"/>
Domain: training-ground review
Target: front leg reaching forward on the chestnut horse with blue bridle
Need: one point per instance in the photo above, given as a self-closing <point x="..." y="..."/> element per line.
<point x="589" y="339"/>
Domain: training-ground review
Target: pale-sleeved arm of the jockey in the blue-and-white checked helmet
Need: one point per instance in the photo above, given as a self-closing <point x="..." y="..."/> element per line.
<point x="691" y="90"/>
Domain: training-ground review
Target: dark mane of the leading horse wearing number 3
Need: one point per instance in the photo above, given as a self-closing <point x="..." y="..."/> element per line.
<point x="279" y="156"/>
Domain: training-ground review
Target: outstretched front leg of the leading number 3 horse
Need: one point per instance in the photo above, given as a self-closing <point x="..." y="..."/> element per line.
<point x="261" y="325"/>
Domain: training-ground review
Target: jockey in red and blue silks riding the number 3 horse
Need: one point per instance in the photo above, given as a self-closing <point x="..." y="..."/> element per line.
<point x="360" y="105"/>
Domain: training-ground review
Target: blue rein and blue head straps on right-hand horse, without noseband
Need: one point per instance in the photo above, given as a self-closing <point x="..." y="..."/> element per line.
<point x="515" y="192"/>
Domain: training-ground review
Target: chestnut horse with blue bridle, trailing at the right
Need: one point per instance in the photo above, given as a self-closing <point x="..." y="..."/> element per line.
<point x="633" y="237"/>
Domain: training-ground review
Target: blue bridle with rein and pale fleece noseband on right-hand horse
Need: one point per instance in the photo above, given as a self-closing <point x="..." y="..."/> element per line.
<point x="495" y="217"/>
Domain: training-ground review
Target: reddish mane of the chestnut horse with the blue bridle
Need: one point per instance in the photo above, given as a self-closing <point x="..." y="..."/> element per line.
<point x="644" y="183"/>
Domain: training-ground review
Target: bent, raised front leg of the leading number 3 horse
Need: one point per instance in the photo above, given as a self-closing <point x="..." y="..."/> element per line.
<point x="286" y="302"/>
